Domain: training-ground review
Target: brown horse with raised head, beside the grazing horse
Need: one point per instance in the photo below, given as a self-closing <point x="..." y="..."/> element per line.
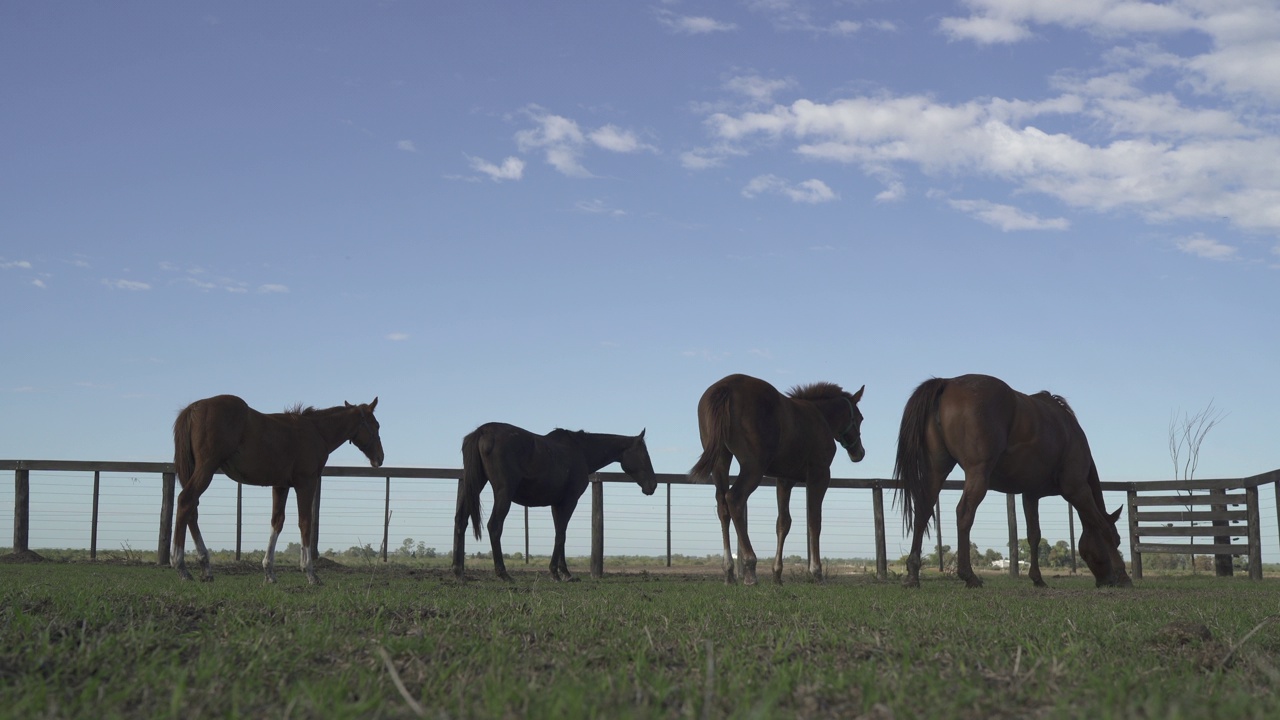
<point x="792" y="438"/>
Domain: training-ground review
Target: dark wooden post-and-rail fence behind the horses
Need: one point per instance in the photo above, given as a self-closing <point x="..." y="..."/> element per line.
<point x="1141" y="498"/>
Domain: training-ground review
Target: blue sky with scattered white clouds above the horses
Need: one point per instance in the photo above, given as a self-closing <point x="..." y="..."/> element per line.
<point x="582" y="215"/>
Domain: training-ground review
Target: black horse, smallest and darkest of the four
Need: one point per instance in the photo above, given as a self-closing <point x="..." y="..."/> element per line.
<point x="536" y="472"/>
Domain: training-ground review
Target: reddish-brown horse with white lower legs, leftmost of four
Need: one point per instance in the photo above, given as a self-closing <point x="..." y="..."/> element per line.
<point x="282" y="452"/>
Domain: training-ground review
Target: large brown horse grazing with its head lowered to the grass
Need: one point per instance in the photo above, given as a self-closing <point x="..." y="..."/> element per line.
<point x="1004" y="441"/>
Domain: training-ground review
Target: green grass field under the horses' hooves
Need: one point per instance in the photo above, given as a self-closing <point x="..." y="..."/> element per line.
<point x="124" y="640"/>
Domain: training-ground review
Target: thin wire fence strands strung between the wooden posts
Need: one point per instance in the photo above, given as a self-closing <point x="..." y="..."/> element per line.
<point x="422" y="518"/>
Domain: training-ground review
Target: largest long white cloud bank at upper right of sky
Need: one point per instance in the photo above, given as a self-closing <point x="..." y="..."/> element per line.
<point x="1227" y="171"/>
